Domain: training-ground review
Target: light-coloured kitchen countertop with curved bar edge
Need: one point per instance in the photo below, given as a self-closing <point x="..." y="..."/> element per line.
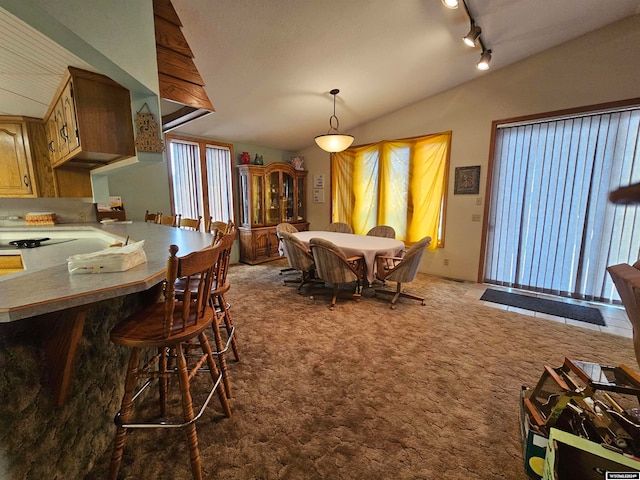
<point x="46" y="285"/>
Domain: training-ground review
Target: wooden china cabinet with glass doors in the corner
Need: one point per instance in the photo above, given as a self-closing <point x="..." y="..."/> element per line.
<point x="269" y="195"/>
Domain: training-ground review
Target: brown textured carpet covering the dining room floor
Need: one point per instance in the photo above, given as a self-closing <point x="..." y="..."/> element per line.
<point x="364" y="392"/>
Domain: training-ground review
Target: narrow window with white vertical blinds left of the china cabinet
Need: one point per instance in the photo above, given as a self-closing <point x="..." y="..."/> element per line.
<point x="201" y="174"/>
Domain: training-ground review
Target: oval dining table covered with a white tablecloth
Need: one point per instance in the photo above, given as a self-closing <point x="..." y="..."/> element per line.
<point x="367" y="246"/>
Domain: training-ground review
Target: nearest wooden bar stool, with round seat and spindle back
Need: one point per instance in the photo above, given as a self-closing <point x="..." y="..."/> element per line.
<point x="164" y="329"/>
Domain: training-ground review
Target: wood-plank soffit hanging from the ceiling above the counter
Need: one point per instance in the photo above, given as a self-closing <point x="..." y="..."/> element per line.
<point x="180" y="81"/>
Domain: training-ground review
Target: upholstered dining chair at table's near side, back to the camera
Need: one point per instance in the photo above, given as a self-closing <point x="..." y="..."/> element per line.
<point x="332" y="266"/>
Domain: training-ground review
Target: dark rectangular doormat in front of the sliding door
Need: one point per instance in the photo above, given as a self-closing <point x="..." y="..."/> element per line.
<point x="551" y="307"/>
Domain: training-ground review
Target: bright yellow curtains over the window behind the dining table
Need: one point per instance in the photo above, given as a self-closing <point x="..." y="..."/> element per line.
<point x="399" y="183"/>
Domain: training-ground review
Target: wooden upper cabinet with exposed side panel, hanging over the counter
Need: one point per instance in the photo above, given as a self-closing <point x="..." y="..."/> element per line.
<point x="89" y="123"/>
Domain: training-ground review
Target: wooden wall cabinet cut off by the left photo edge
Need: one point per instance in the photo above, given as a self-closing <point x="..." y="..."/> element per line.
<point x="24" y="162"/>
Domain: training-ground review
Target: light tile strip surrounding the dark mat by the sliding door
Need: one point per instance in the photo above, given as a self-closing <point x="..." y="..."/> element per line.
<point x="615" y="317"/>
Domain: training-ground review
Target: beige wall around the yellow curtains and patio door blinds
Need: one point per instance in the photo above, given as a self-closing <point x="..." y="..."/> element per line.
<point x="599" y="67"/>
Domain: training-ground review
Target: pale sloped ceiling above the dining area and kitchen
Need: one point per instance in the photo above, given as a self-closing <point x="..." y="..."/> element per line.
<point x="268" y="67"/>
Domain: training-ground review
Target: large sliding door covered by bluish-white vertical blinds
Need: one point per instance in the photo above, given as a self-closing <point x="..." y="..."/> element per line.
<point x="552" y="228"/>
